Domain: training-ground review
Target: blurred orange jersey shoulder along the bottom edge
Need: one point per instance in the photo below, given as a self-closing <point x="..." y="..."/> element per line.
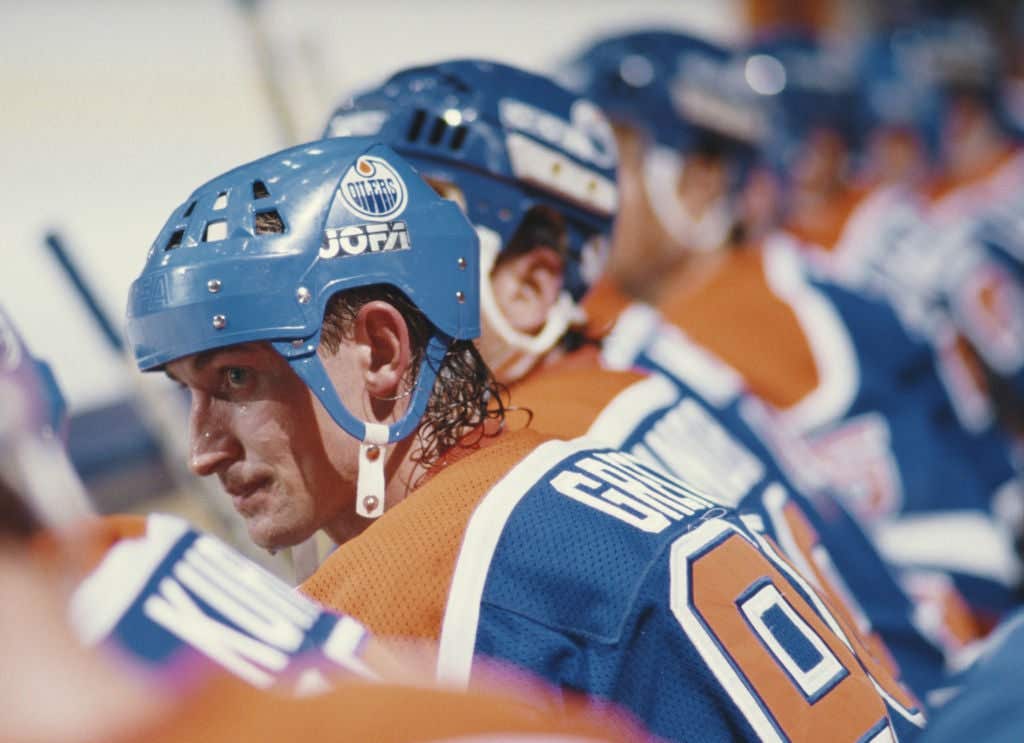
<point x="225" y="712"/>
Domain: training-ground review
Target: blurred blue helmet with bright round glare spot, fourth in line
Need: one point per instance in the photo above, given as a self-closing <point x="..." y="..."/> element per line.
<point x="809" y="86"/>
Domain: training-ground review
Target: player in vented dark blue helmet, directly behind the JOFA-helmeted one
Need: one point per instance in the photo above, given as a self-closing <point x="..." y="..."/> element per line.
<point x="695" y="423"/>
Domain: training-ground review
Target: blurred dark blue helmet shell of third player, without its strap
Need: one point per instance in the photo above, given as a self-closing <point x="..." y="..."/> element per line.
<point x="678" y="90"/>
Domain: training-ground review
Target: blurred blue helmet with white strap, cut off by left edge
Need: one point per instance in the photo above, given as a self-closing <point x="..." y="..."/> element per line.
<point x="33" y="424"/>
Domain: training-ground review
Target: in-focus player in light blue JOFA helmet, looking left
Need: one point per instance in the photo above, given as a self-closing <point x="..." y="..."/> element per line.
<point x="579" y="564"/>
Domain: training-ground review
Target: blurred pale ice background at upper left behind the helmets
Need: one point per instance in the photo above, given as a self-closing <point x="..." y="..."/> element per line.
<point x="114" y="112"/>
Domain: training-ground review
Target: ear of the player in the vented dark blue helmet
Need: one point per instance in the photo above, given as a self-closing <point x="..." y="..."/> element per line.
<point x="528" y="286"/>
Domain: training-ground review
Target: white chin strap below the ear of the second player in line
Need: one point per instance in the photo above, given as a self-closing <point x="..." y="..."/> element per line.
<point x="523" y="351"/>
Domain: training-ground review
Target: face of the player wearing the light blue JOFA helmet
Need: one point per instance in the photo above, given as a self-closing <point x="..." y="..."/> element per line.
<point x="289" y="469"/>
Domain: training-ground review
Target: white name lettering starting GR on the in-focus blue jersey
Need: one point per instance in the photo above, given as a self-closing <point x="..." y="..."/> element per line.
<point x="620" y="487"/>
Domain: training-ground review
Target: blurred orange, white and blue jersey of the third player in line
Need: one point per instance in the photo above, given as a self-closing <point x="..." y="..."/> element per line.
<point x="865" y="389"/>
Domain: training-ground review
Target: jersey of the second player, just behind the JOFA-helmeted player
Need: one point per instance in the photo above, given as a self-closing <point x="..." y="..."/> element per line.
<point x="568" y="401"/>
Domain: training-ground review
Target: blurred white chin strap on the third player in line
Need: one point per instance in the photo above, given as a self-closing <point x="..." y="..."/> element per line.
<point x="662" y="169"/>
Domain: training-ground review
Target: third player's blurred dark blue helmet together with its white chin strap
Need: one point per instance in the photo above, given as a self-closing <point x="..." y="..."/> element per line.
<point x="688" y="99"/>
